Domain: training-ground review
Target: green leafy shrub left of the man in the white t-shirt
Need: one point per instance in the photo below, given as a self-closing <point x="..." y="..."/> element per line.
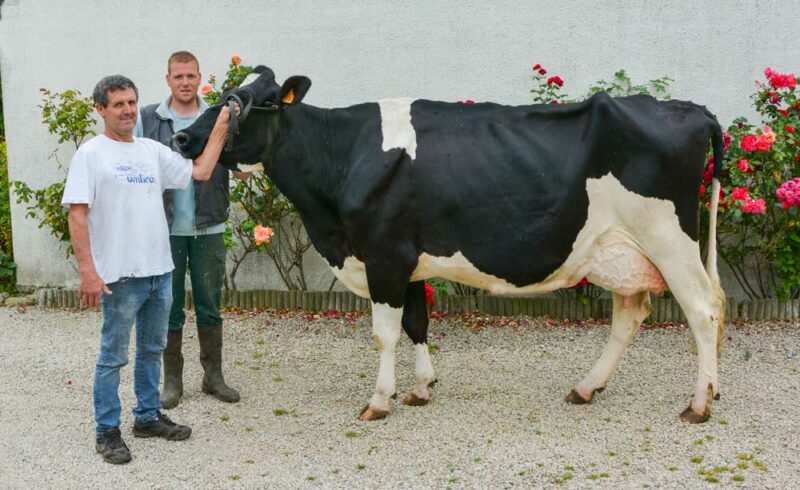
<point x="68" y="115"/>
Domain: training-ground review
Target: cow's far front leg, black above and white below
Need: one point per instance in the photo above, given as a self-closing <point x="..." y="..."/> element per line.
<point x="415" y="323"/>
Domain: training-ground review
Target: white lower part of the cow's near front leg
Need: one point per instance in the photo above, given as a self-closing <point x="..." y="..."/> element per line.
<point x="385" y="332"/>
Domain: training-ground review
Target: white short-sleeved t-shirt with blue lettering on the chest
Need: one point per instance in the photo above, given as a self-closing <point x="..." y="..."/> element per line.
<point x="122" y="183"/>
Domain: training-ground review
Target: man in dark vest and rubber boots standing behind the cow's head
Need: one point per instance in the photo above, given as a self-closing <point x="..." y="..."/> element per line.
<point x="196" y="218"/>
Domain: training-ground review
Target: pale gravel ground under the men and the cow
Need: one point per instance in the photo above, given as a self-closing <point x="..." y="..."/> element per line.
<point x="498" y="417"/>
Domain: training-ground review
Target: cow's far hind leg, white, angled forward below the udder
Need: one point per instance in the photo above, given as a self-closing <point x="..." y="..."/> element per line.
<point x="629" y="312"/>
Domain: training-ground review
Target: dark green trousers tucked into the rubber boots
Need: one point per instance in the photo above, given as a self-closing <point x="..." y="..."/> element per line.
<point x="205" y="257"/>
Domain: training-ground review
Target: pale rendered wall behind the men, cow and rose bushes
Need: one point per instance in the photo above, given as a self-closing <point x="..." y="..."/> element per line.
<point x="362" y="51"/>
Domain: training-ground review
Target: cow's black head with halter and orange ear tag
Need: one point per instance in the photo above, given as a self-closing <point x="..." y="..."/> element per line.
<point x="261" y="103"/>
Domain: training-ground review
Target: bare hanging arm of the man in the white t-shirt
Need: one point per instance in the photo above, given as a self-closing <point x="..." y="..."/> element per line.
<point x="91" y="283"/>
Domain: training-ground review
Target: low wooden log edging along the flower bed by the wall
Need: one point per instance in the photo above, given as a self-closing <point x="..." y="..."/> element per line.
<point x="664" y="310"/>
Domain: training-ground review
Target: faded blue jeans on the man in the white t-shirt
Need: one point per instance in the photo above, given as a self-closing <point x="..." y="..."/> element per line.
<point x="146" y="301"/>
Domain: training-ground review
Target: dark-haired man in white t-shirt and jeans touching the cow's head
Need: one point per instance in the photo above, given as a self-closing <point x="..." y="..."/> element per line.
<point x="121" y="241"/>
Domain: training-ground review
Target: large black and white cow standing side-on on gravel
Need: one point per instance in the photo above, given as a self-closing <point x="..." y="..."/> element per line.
<point x="524" y="199"/>
